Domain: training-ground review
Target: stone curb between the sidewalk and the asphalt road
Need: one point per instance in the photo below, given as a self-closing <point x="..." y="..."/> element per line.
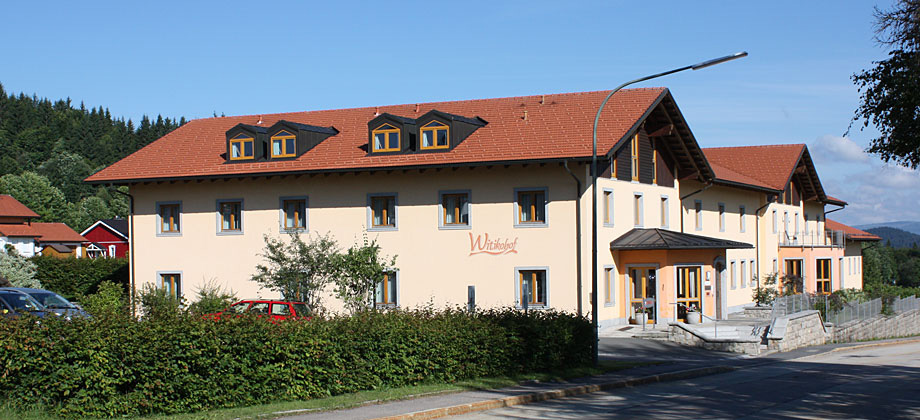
<point x="557" y="393"/>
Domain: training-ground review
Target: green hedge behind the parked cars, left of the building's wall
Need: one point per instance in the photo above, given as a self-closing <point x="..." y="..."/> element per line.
<point x="74" y="278"/>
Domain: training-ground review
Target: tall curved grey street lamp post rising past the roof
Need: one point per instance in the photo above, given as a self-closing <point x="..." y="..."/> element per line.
<point x="698" y="66"/>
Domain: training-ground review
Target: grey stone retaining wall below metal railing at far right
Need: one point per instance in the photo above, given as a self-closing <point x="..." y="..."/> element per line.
<point x="900" y="325"/>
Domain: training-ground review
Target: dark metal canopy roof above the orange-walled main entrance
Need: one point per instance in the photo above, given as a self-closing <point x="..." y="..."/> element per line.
<point x="647" y="239"/>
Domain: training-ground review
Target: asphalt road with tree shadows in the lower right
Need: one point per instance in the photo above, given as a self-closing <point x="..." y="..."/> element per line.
<point x="880" y="382"/>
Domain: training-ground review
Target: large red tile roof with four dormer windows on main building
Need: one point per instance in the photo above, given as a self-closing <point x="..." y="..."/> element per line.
<point x="559" y="128"/>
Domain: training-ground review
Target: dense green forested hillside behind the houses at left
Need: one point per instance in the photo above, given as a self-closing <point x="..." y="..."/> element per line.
<point x="48" y="148"/>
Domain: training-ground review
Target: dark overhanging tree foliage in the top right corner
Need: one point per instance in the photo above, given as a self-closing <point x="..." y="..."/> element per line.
<point x="890" y="91"/>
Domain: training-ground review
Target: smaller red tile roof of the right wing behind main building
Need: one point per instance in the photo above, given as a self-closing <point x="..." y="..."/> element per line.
<point x="761" y="166"/>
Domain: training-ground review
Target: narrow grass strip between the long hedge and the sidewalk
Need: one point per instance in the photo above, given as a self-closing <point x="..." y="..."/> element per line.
<point x="279" y="409"/>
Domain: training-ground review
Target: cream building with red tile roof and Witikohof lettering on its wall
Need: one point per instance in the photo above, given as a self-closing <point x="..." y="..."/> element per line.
<point x="493" y="194"/>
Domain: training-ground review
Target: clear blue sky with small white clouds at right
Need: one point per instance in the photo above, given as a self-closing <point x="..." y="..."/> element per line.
<point x="193" y="59"/>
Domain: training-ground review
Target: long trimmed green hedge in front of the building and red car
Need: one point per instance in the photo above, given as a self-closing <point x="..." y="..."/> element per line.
<point x="118" y="366"/>
